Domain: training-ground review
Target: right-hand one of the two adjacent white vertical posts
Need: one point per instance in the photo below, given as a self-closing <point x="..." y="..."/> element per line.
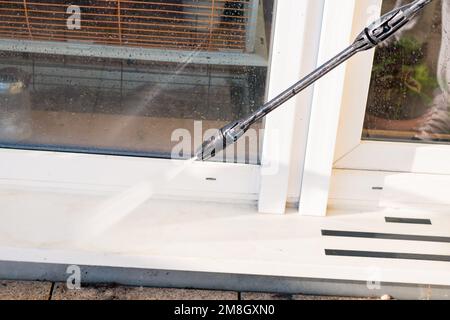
<point x="328" y="92"/>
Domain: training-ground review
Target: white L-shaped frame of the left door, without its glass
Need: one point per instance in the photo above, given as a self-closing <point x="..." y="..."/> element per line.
<point x="202" y="181"/>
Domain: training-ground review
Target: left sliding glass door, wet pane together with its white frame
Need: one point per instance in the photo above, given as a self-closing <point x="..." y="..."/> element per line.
<point x="106" y="94"/>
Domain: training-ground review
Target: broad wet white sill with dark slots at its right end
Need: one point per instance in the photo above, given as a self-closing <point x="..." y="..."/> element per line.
<point x="52" y="227"/>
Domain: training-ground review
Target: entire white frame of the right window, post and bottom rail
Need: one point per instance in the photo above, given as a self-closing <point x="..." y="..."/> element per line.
<point x="341" y="169"/>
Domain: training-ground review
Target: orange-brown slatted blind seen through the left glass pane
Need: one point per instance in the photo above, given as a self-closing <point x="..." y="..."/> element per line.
<point x="214" y="25"/>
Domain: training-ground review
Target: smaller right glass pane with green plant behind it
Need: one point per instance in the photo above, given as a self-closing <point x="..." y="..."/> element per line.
<point x="409" y="91"/>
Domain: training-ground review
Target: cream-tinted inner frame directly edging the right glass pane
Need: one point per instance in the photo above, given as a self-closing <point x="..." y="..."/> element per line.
<point x="354" y="153"/>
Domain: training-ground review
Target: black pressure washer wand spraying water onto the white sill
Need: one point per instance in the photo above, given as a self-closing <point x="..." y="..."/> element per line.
<point x="369" y="38"/>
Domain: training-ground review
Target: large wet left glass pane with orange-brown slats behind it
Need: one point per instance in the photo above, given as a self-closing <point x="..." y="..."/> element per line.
<point x="134" y="78"/>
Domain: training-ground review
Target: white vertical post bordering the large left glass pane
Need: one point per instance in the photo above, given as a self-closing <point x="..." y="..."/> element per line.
<point x="292" y="48"/>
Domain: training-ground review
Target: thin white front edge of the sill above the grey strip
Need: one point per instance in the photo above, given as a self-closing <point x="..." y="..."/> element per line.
<point x="228" y="266"/>
